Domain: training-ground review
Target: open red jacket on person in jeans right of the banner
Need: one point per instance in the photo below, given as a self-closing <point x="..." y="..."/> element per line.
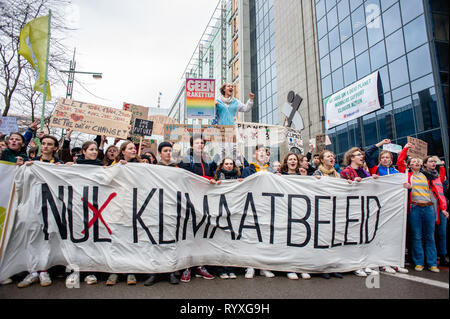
<point x="435" y="185"/>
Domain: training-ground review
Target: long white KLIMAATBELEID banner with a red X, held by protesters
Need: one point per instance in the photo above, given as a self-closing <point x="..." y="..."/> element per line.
<point x="137" y="218"/>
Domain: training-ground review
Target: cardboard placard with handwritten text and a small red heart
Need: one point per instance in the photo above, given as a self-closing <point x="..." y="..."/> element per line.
<point x="91" y="118"/>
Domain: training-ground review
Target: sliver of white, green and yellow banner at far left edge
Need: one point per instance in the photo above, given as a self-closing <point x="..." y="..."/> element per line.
<point x="7" y="171"/>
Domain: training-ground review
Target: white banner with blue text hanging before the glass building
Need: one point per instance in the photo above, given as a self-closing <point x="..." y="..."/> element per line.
<point x="352" y="102"/>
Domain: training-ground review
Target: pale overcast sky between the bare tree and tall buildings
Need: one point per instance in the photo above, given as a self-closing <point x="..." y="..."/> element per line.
<point x="141" y="46"/>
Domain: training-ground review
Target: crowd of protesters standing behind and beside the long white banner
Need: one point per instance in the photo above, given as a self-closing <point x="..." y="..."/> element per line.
<point x="427" y="185"/>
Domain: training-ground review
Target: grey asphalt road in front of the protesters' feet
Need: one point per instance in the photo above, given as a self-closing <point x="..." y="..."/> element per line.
<point x="280" y="287"/>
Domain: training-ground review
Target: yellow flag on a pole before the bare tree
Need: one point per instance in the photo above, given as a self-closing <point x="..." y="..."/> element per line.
<point x="33" y="47"/>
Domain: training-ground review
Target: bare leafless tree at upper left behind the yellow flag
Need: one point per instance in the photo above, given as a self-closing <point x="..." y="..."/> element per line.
<point x="16" y="74"/>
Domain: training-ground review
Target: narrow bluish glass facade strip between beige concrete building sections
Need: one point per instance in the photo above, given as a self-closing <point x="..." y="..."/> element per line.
<point x="263" y="68"/>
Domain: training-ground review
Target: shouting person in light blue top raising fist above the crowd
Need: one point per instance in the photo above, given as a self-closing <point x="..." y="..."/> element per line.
<point x="227" y="106"/>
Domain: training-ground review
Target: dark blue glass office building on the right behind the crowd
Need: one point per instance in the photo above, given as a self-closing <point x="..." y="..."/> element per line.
<point x="398" y="38"/>
